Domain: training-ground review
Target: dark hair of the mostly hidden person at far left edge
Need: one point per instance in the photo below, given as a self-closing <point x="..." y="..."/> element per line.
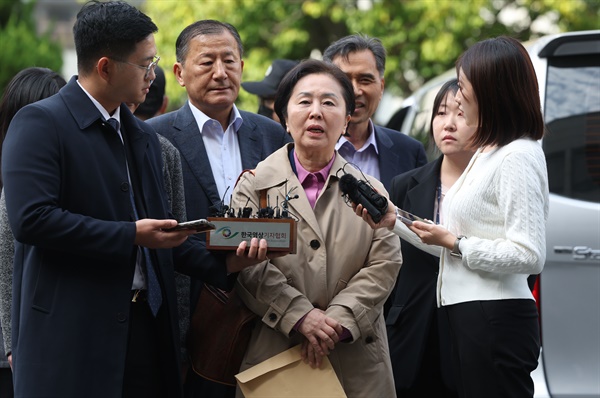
<point x="26" y="87"/>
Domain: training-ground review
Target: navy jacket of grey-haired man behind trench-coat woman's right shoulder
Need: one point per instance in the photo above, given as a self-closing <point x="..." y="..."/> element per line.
<point x="398" y="153"/>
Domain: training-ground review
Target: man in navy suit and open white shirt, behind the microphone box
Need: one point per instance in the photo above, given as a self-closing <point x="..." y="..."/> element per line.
<point x="216" y="140"/>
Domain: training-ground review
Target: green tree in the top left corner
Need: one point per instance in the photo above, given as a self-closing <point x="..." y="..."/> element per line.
<point x="20" y="46"/>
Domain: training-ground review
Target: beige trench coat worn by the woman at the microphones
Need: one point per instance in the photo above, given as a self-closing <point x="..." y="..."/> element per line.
<point x="342" y="266"/>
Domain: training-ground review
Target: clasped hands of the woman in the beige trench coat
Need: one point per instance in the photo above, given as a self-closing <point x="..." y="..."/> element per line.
<point x="322" y="333"/>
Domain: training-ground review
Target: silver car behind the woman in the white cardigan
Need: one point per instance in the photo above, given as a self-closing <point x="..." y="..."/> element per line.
<point x="568" y="289"/>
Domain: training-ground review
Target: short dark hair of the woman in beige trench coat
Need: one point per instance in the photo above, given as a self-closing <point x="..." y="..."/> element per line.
<point x="303" y="69"/>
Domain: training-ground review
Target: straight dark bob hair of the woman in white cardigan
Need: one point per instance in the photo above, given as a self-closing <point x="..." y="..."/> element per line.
<point x="506" y="89"/>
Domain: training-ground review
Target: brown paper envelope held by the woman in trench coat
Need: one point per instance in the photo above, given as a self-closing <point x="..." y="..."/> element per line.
<point x="285" y="375"/>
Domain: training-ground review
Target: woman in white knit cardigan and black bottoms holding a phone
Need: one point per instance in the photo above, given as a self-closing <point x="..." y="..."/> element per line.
<point x="494" y="232"/>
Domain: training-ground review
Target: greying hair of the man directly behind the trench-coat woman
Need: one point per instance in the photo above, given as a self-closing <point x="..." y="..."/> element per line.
<point x="353" y="43"/>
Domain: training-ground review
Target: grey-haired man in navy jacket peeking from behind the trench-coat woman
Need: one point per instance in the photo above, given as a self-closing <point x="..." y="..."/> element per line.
<point x="378" y="151"/>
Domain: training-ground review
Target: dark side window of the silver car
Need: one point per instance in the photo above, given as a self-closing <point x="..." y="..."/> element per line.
<point x="572" y="116"/>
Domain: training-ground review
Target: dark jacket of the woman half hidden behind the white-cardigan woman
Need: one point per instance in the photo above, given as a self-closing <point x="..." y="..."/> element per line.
<point x="412" y="307"/>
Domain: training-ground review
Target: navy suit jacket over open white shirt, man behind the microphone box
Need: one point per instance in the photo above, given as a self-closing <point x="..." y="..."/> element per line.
<point x="258" y="138"/>
